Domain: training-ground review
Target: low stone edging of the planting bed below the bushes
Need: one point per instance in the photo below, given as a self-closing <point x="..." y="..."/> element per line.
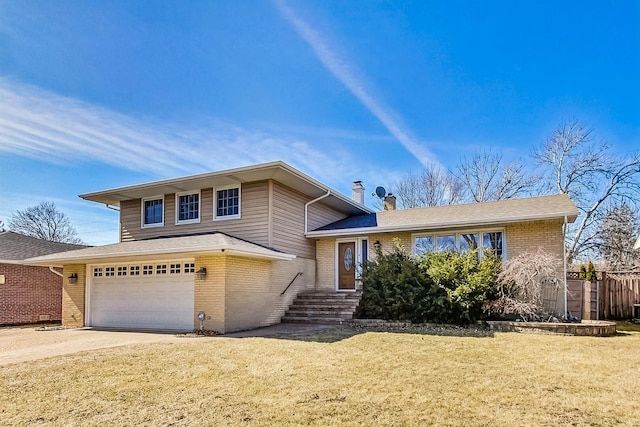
<point x="595" y="328"/>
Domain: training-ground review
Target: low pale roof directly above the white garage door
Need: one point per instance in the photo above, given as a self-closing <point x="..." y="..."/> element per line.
<point x="200" y="244"/>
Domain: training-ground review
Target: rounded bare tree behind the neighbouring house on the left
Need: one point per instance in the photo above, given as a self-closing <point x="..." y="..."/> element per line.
<point x="46" y="222"/>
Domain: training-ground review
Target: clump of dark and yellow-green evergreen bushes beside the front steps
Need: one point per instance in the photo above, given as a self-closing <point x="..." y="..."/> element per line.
<point x="442" y="287"/>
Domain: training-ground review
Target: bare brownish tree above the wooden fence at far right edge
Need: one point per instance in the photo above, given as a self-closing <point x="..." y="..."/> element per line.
<point x="616" y="237"/>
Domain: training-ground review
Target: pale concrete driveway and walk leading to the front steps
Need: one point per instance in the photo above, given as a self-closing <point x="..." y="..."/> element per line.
<point x="22" y="344"/>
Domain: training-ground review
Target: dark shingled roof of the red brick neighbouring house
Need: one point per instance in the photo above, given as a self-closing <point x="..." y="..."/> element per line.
<point x="15" y="247"/>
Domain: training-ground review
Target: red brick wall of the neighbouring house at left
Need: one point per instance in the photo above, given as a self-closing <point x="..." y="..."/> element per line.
<point x="29" y="293"/>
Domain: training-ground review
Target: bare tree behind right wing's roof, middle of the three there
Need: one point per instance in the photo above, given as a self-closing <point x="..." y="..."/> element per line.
<point x="485" y="177"/>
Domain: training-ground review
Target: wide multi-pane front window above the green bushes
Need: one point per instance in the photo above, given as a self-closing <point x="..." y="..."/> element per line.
<point x="490" y="240"/>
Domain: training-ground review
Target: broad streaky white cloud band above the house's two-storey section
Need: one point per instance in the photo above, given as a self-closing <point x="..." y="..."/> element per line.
<point x="39" y="124"/>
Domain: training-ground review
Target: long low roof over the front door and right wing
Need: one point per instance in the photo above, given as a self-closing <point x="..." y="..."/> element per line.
<point x="454" y="216"/>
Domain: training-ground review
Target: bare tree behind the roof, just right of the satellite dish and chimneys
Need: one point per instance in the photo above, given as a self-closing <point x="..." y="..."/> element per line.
<point x="433" y="187"/>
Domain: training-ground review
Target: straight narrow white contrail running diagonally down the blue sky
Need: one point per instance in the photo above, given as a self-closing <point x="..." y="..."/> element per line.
<point x="344" y="73"/>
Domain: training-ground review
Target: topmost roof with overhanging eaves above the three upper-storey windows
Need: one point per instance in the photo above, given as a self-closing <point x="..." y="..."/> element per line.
<point x="278" y="171"/>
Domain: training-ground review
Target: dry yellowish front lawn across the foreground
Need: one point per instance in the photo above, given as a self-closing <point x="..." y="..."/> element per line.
<point x="343" y="377"/>
